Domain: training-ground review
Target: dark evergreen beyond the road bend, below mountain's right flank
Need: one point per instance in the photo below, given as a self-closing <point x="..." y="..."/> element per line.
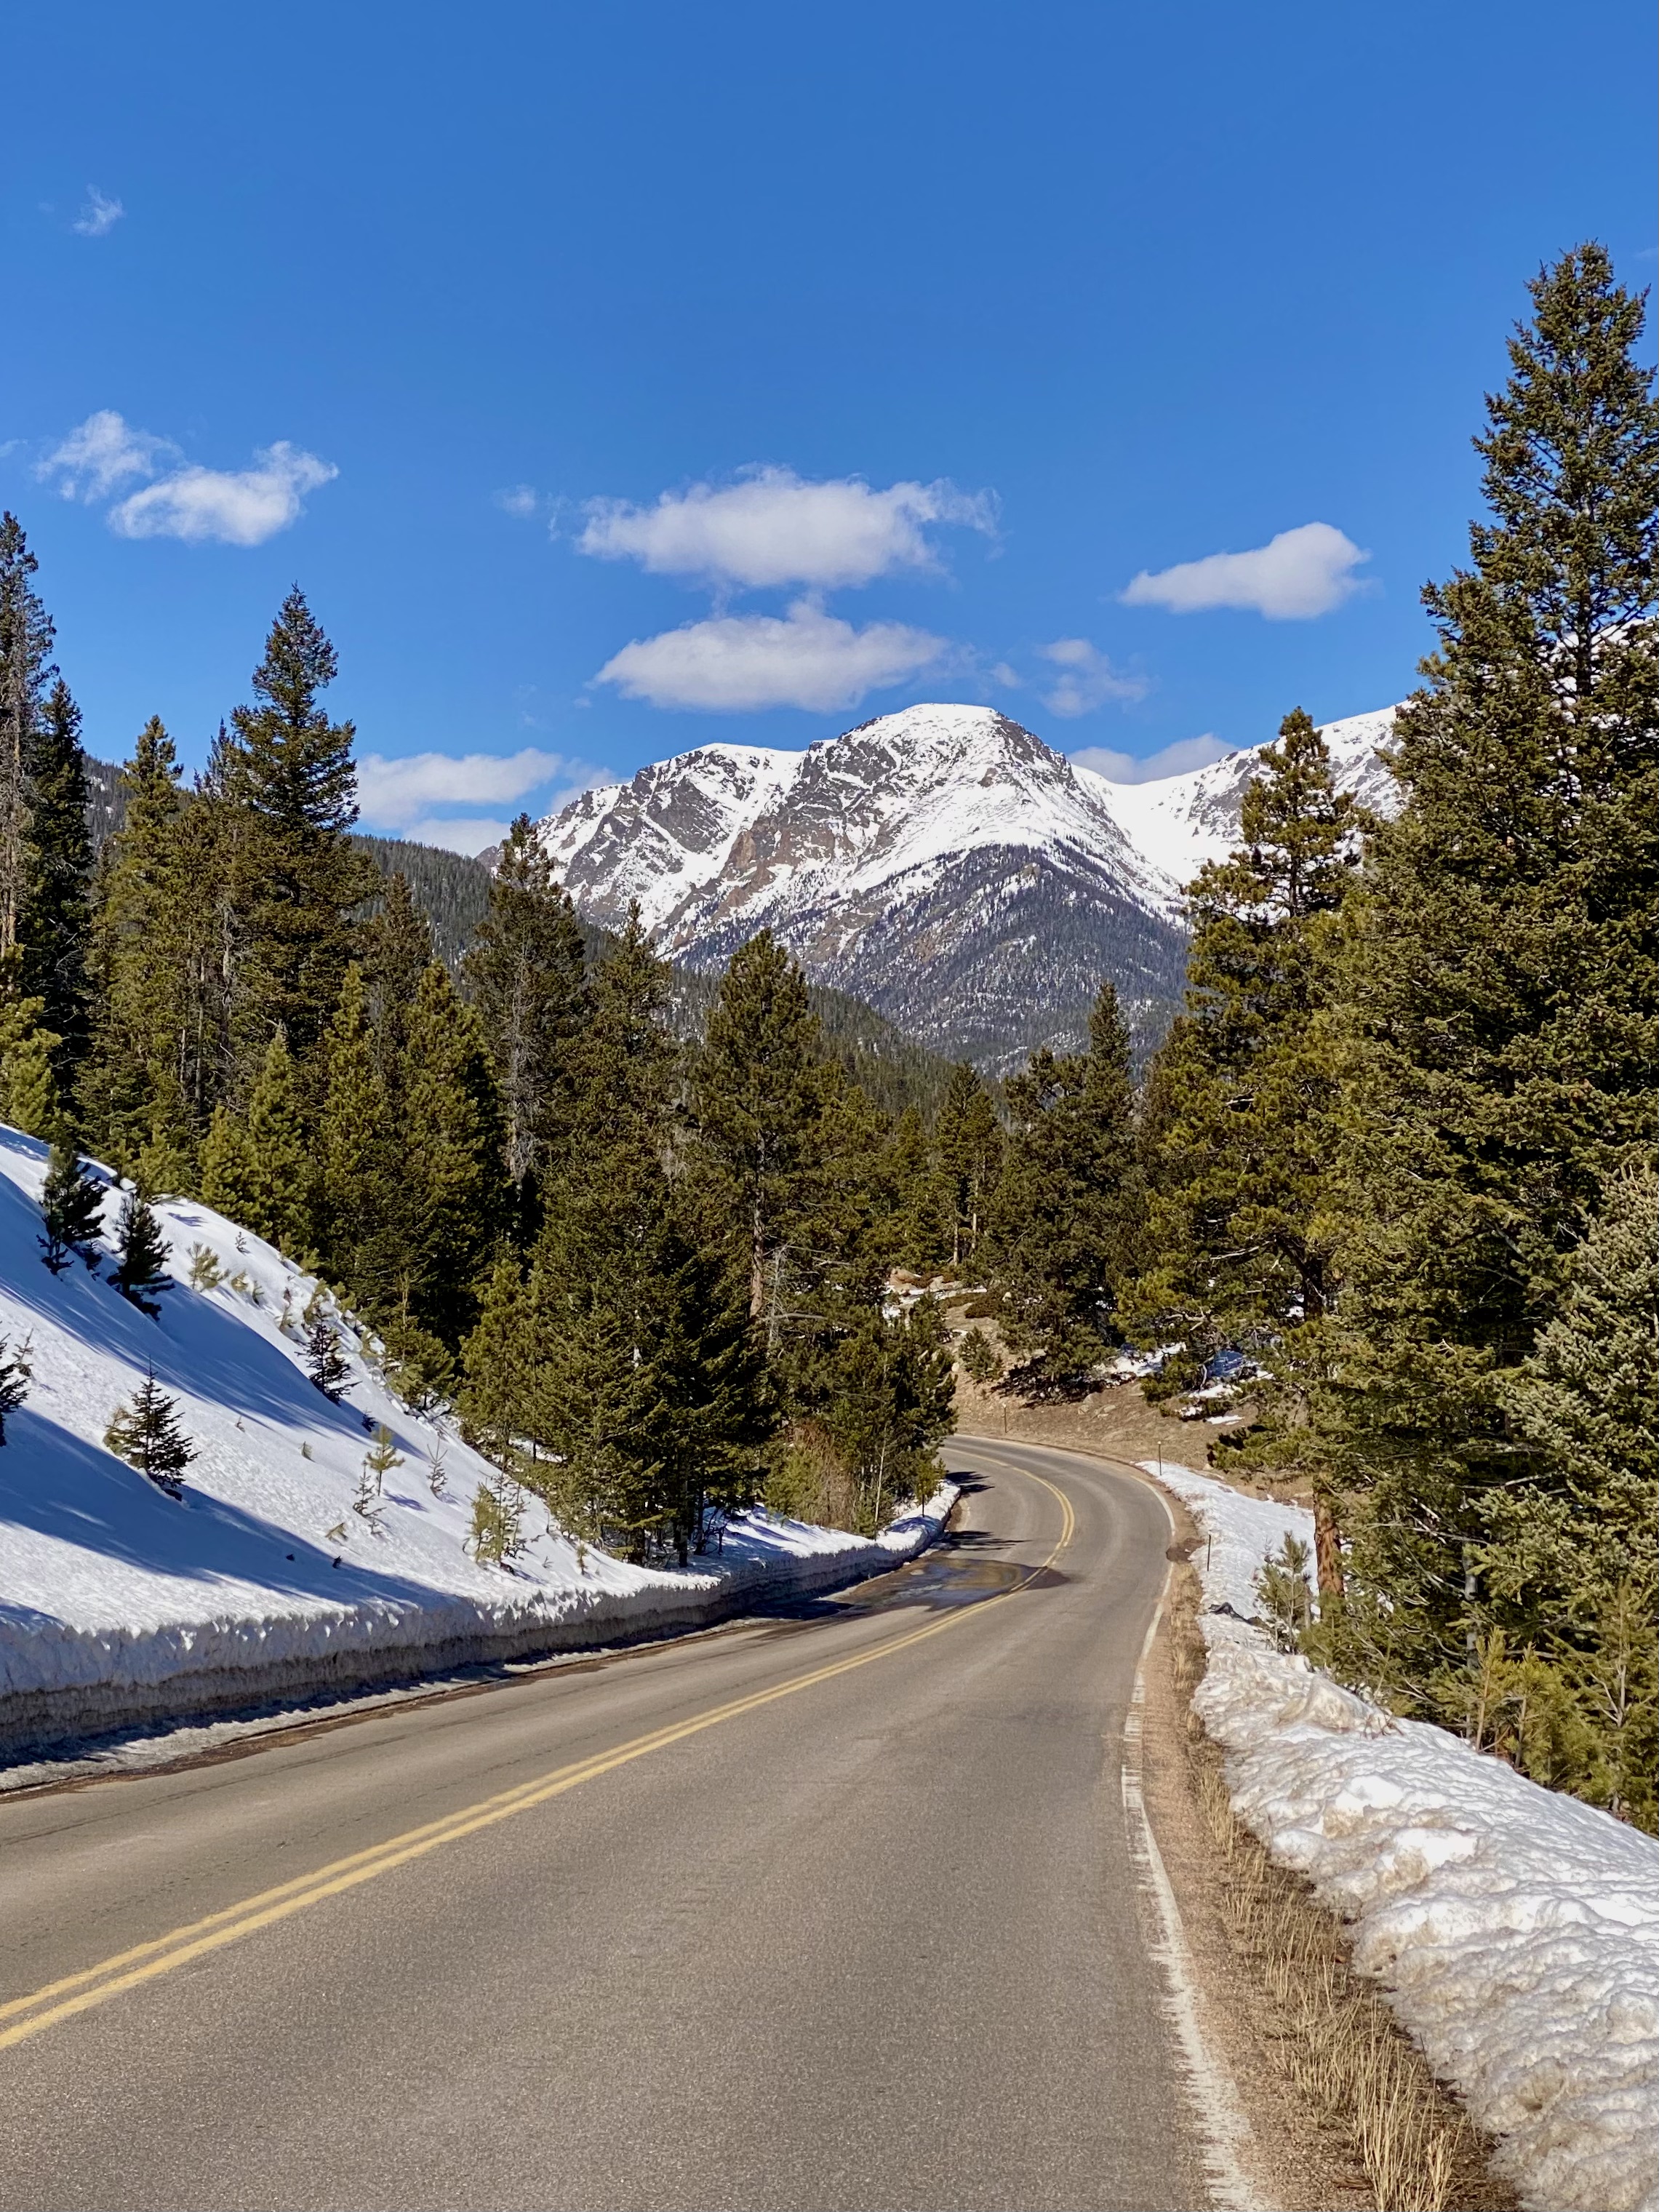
<point x="1067" y="1215"/>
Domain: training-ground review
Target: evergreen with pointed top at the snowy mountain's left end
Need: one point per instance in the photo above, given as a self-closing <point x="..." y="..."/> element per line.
<point x="528" y="977"/>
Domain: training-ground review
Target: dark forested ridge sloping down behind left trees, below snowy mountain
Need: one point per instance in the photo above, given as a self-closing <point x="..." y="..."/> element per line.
<point x="455" y="893"/>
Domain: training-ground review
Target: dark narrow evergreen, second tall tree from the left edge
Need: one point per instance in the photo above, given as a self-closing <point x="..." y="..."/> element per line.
<point x="56" y="919"/>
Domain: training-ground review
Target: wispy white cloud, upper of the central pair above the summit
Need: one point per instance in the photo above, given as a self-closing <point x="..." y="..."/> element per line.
<point x="773" y="528"/>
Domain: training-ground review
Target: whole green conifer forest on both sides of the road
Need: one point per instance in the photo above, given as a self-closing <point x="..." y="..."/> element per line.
<point x="1392" y="1160"/>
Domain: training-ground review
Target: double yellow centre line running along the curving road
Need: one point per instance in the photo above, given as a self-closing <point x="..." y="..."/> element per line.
<point x="145" y="1963"/>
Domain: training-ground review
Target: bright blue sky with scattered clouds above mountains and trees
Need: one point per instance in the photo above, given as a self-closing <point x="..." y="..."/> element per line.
<point x="625" y="377"/>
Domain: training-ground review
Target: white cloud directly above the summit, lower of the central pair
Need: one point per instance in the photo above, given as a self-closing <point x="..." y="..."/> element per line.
<point x="747" y="662"/>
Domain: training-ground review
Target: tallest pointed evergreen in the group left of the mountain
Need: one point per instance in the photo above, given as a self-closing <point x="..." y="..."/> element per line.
<point x="298" y="875"/>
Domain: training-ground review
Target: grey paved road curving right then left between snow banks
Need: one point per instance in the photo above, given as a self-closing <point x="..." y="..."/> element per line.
<point x="866" y="1941"/>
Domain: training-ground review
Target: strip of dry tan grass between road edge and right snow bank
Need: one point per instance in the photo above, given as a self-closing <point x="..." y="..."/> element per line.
<point x="1326" y="2030"/>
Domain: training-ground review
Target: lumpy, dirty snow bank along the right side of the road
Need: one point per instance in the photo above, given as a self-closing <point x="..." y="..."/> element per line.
<point x="1514" y="1930"/>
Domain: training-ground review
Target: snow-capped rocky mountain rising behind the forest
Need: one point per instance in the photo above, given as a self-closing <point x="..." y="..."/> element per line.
<point x="943" y="864"/>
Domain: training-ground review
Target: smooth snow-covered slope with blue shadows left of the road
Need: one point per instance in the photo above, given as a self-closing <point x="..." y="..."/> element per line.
<point x="121" y="1605"/>
